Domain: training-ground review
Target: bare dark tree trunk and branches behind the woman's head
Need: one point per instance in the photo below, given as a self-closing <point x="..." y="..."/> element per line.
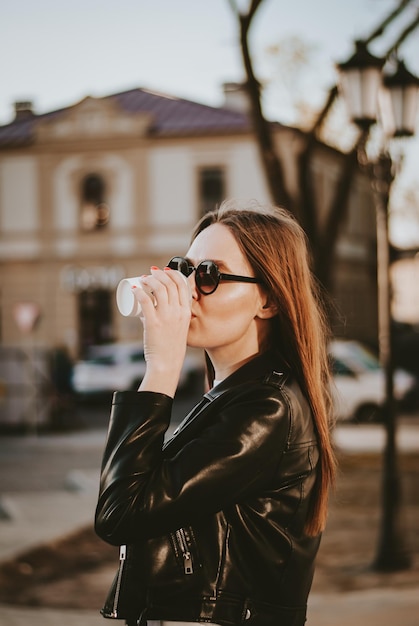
<point x="322" y="239"/>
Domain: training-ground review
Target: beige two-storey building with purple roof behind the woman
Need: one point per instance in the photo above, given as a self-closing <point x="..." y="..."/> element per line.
<point x="106" y="187"/>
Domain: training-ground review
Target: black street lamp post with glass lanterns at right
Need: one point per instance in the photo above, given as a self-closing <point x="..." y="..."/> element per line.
<point x="363" y="86"/>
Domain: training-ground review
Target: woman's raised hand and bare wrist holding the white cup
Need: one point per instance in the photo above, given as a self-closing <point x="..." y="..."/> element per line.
<point x="166" y="319"/>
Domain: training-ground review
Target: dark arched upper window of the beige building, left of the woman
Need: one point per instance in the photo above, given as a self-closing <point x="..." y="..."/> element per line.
<point x="94" y="212"/>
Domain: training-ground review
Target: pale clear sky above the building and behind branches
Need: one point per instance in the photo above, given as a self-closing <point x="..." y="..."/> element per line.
<point x="56" y="53"/>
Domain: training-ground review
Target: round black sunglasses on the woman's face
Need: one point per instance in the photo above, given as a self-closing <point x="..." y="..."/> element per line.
<point x="207" y="274"/>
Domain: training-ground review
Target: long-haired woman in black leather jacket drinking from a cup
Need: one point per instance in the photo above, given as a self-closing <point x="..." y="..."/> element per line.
<point x="221" y="524"/>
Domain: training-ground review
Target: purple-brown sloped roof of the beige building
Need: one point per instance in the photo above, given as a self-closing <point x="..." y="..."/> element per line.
<point x="171" y="116"/>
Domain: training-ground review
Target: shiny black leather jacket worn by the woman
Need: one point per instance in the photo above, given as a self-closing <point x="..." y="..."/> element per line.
<point x="211" y="522"/>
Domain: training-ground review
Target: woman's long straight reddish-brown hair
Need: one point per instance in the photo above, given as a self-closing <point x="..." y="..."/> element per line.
<point x="276" y="248"/>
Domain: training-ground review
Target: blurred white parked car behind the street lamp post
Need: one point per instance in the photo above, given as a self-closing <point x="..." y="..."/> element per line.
<point x="359" y="382"/>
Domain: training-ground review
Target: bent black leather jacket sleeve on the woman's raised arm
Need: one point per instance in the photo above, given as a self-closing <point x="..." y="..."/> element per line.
<point x="145" y="493"/>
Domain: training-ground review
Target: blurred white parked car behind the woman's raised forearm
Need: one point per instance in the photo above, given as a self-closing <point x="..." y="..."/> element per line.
<point x="121" y="367"/>
